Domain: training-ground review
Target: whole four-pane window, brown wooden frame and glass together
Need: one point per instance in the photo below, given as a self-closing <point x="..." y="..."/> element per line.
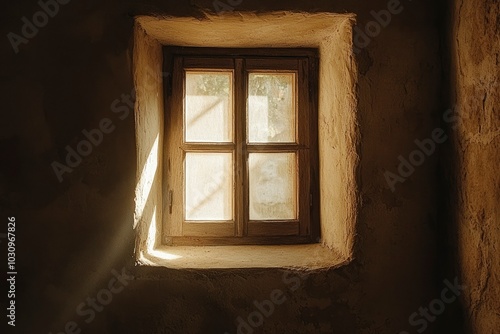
<point x="240" y="160"/>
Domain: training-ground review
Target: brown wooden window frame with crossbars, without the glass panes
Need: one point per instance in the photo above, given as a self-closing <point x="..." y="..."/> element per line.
<point x="241" y="231"/>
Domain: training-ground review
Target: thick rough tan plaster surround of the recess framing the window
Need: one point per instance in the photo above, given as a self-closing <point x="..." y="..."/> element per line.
<point x="337" y="123"/>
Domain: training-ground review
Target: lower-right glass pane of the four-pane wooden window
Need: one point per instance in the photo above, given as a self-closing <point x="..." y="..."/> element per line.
<point x="273" y="186"/>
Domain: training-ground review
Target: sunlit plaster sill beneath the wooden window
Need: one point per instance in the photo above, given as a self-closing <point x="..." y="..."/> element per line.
<point x="310" y="257"/>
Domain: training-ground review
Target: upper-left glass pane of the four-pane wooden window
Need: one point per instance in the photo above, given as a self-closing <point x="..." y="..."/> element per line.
<point x="208" y="109"/>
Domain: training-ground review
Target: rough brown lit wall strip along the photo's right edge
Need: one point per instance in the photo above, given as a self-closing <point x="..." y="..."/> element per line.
<point x="470" y="165"/>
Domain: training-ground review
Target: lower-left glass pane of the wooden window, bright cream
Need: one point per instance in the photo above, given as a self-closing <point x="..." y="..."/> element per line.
<point x="209" y="184"/>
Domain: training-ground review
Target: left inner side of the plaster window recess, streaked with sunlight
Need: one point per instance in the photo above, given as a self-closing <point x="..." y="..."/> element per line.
<point x="148" y="65"/>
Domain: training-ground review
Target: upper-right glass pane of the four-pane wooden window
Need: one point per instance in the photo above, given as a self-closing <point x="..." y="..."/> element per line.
<point x="271" y="107"/>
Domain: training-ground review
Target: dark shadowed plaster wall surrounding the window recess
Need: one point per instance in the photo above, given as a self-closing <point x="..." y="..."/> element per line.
<point x="72" y="234"/>
